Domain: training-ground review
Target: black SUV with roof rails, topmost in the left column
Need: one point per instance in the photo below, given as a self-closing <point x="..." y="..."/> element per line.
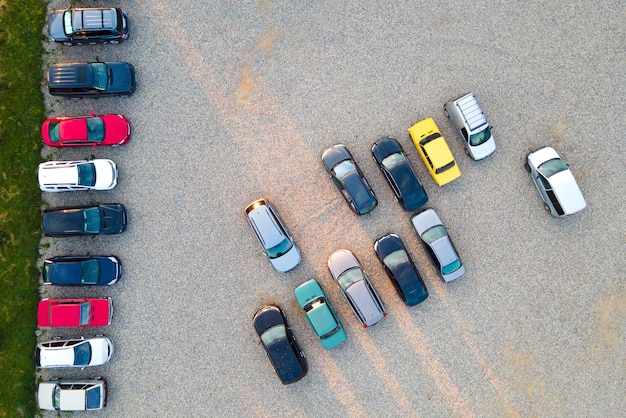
<point x="88" y="26"/>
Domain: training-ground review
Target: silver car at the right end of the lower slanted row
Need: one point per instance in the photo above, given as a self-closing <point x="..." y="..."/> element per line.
<point x="439" y="245"/>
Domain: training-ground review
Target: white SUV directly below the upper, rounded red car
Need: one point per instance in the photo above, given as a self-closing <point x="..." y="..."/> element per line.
<point x="64" y="176"/>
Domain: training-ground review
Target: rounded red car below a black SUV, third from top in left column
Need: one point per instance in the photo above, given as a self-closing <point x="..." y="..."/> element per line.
<point x="84" y="131"/>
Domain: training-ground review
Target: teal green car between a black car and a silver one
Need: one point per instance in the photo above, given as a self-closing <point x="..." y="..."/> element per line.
<point x="320" y="314"/>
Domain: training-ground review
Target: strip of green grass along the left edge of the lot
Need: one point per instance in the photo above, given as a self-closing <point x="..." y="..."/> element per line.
<point x="21" y="113"/>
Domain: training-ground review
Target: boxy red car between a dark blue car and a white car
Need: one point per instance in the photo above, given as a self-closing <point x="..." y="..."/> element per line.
<point x="71" y="313"/>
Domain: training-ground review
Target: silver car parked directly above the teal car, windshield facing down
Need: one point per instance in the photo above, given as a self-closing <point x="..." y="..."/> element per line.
<point x="273" y="235"/>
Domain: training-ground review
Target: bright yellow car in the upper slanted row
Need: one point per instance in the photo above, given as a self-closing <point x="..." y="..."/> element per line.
<point x="434" y="151"/>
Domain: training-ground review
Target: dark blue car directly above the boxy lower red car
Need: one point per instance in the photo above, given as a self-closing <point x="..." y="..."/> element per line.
<point x="88" y="270"/>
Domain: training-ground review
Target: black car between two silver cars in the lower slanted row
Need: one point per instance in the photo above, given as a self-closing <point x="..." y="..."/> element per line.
<point x="401" y="270"/>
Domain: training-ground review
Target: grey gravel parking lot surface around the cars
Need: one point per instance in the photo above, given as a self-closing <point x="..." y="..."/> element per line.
<point x="237" y="101"/>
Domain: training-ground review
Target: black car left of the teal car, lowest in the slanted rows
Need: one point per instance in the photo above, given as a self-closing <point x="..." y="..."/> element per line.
<point x="280" y="344"/>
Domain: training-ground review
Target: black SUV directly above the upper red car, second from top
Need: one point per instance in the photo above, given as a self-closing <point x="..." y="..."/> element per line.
<point x="91" y="79"/>
